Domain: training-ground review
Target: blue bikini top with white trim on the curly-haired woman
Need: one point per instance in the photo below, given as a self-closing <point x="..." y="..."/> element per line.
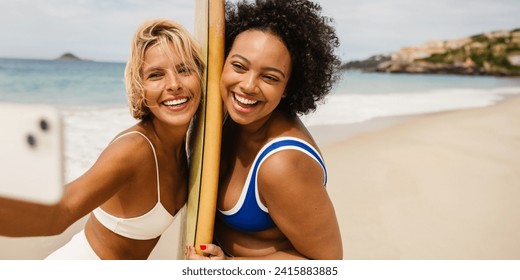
<point x="250" y="214"/>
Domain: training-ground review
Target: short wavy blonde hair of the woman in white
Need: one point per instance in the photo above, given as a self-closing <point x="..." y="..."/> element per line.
<point x="175" y="40"/>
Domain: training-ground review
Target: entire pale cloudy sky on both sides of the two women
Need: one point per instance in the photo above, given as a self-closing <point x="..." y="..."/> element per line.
<point x="101" y="30"/>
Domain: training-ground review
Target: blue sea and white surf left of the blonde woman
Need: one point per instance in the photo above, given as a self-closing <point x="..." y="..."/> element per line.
<point x="90" y="96"/>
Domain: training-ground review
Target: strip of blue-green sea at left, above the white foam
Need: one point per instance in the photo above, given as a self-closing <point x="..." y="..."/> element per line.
<point x="62" y="83"/>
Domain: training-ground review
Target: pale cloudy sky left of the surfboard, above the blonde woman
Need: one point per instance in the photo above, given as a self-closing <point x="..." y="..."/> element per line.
<point x="99" y="30"/>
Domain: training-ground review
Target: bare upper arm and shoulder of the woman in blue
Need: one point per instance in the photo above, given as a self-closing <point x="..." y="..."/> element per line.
<point x="291" y="186"/>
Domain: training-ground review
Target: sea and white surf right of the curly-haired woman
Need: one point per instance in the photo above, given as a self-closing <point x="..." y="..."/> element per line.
<point x="362" y="96"/>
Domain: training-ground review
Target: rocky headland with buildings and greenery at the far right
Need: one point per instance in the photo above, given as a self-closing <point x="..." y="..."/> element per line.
<point x="494" y="53"/>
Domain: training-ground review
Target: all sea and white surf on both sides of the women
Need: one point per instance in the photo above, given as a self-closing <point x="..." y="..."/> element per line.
<point x="92" y="99"/>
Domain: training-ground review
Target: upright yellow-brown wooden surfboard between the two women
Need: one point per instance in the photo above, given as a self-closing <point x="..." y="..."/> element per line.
<point x="206" y="132"/>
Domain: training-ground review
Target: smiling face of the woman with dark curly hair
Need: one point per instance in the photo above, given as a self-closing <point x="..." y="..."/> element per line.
<point x="255" y="75"/>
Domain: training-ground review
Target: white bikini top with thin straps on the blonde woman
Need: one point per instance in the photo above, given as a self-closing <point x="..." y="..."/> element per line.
<point x="147" y="226"/>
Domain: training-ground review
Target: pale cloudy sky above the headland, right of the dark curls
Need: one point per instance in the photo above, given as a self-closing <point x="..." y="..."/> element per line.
<point x="378" y="26"/>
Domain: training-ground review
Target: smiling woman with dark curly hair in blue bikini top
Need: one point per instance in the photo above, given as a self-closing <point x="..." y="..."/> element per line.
<point x="272" y="201"/>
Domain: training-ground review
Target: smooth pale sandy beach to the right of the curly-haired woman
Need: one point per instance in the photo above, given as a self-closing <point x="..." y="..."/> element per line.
<point x="428" y="187"/>
